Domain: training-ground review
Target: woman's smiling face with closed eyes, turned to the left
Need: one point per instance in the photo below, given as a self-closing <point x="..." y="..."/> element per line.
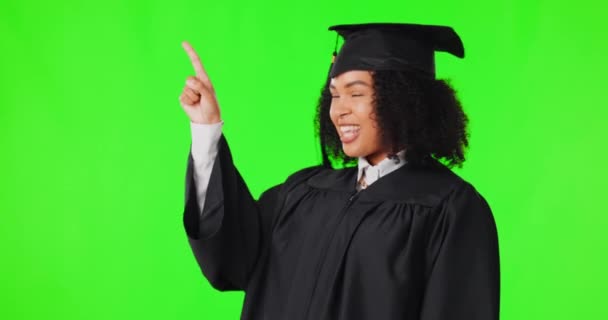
<point x="352" y="113"/>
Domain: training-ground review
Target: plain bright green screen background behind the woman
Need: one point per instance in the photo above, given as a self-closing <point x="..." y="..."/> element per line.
<point x="94" y="143"/>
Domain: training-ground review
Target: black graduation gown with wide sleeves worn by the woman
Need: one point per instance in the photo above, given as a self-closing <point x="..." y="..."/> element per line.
<point x="416" y="244"/>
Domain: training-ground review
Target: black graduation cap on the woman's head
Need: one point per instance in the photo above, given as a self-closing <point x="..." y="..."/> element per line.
<point x="392" y="46"/>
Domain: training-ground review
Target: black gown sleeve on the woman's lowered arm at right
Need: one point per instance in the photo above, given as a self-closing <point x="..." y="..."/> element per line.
<point x="463" y="280"/>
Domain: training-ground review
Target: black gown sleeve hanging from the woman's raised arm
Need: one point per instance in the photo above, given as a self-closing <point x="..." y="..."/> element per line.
<point x="226" y="236"/>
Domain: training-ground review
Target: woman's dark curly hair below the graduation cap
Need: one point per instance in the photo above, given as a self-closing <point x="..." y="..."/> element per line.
<point x="414" y="112"/>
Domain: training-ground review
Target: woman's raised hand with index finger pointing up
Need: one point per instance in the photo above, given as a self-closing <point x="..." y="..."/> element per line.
<point x="198" y="97"/>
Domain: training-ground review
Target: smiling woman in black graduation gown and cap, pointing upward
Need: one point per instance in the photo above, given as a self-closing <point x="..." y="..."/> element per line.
<point x="398" y="236"/>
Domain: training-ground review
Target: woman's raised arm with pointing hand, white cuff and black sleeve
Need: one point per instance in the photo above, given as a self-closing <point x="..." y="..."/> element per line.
<point x="223" y="222"/>
